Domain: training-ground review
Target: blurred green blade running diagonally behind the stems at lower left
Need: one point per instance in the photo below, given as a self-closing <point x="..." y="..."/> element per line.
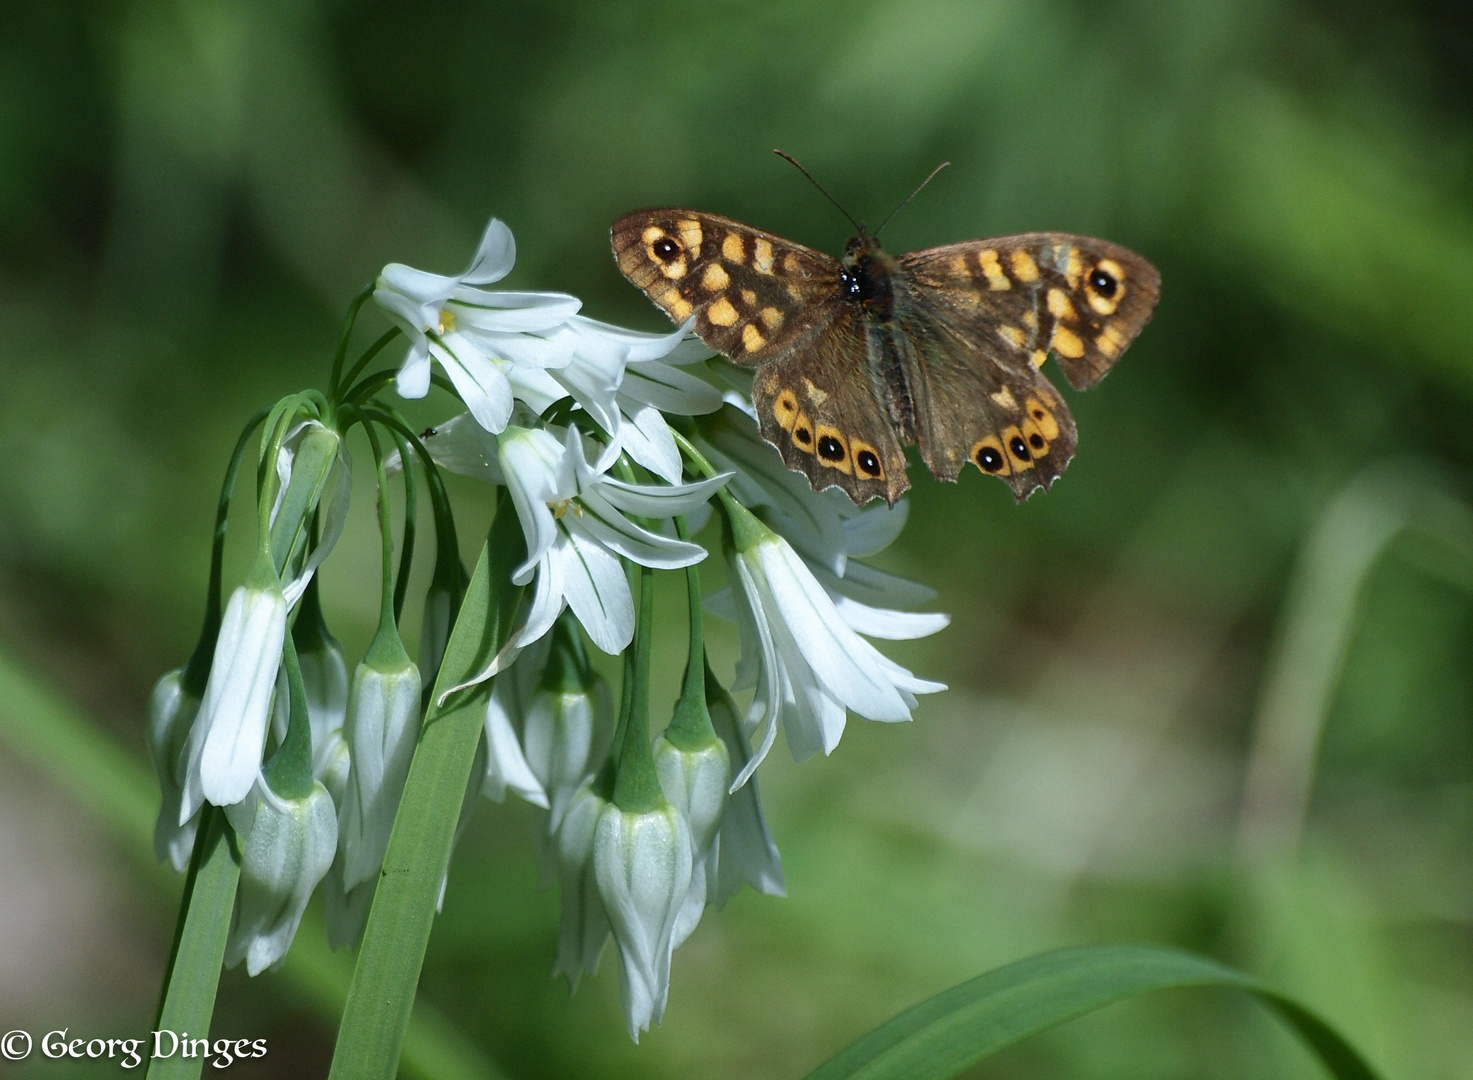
<point x="119" y="790"/>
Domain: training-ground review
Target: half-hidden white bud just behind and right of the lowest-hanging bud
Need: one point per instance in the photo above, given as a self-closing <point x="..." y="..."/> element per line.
<point x="696" y="780"/>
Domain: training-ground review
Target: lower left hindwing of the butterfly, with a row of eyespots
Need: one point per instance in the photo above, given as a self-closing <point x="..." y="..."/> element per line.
<point x="818" y="409"/>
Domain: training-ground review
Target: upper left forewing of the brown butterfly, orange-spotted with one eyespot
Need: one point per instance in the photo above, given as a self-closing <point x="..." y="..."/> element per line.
<point x="755" y="295"/>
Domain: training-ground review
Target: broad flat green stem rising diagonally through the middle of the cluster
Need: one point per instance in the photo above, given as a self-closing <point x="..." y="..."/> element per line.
<point x="393" y="954"/>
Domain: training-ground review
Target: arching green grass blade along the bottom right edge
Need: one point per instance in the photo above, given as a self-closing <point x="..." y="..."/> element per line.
<point x="942" y="1037"/>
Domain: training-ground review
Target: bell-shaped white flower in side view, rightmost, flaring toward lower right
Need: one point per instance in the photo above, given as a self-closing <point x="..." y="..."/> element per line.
<point x="814" y="665"/>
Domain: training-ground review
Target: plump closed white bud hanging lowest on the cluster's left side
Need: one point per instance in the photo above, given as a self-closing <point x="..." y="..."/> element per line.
<point x="286" y="846"/>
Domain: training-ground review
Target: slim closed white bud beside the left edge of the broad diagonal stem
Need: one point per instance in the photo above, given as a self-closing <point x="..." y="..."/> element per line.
<point x="382" y="730"/>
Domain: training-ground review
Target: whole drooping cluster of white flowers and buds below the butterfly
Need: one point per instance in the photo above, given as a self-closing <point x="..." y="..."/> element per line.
<point x="612" y="450"/>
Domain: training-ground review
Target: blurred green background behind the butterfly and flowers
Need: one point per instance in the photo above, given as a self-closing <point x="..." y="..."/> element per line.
<point x="1212" y="692"/>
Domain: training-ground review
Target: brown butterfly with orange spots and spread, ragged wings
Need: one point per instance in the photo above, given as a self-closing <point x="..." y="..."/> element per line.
<point x="942" y="348"/>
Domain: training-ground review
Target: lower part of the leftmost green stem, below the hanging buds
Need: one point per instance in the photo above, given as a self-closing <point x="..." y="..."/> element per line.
<point x="200" y="944"/>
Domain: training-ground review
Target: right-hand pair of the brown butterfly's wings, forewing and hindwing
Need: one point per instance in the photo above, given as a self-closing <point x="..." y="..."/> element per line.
<point x="980" y="319"/>
